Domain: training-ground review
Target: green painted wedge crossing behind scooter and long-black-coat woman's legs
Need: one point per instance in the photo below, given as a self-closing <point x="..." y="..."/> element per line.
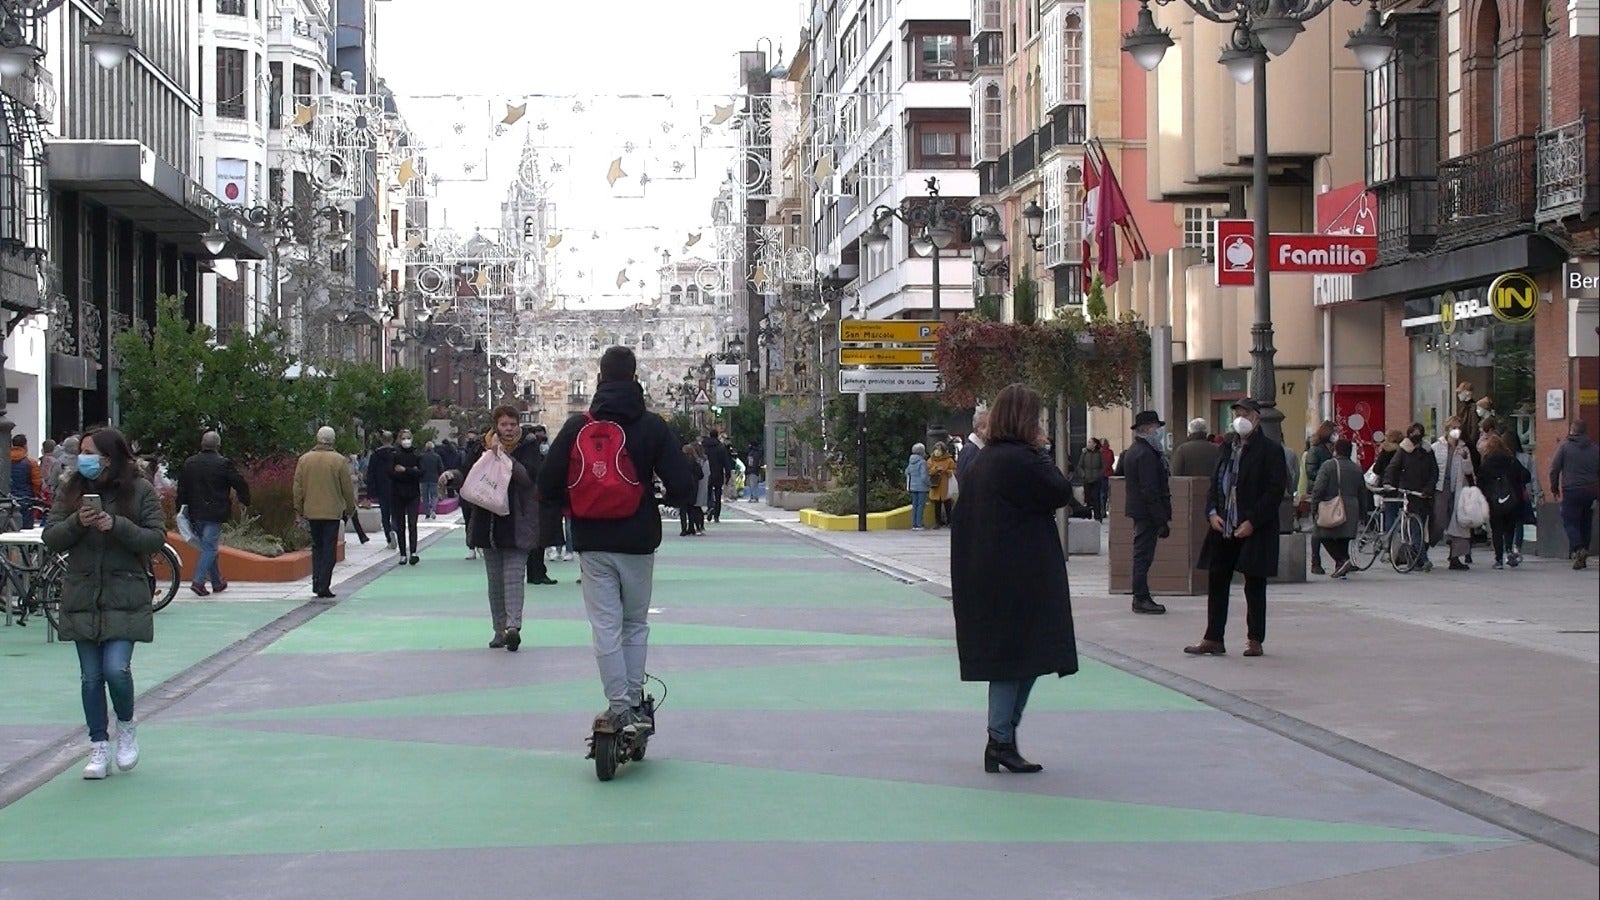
<point x="894" y="685"/>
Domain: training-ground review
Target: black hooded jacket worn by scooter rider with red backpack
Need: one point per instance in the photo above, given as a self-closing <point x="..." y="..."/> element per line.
<point x="655" y="454"/>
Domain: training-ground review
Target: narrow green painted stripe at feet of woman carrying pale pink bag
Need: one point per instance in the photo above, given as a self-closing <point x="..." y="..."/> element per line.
<point x="353" y="633"/>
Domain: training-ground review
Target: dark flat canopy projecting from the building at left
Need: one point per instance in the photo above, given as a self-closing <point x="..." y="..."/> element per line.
<point x="132" y="182"/>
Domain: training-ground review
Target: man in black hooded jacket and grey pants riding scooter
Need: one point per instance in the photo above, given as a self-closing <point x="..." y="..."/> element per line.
<point x="618" y="556"/>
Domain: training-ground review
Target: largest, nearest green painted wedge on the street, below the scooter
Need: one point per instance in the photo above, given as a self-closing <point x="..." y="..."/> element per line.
<point x="209" y="794"/>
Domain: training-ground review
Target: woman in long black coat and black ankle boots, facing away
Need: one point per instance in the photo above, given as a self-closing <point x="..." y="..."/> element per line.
<point x="1009" y="576"/>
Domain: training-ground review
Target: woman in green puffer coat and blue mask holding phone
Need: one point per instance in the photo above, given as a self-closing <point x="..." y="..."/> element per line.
<point x="110" y="521"/>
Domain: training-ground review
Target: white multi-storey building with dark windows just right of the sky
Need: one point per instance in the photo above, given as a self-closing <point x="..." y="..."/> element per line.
<point x="898" y="76"/>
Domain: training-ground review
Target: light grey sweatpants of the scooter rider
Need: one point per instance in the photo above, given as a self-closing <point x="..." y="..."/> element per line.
<point x="617" y="597"/>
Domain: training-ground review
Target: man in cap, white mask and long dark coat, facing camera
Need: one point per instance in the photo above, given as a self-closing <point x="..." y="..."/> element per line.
<point x="1242" y="510"/>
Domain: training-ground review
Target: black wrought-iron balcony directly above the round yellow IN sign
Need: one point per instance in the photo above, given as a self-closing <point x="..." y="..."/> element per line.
<point x="1487" y="195"/>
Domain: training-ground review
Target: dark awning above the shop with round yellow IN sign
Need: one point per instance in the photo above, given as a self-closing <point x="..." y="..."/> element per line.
<point x="1473" y="265"/>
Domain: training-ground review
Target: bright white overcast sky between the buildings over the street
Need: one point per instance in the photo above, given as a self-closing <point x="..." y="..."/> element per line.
<point x="490" y="50"/>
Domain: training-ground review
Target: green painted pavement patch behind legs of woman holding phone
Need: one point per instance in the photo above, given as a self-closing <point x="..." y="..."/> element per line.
<point x="41" y="680"/>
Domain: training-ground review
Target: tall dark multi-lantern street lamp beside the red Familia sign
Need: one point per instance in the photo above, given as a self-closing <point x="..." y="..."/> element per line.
<point x="1262" y="30"/>
